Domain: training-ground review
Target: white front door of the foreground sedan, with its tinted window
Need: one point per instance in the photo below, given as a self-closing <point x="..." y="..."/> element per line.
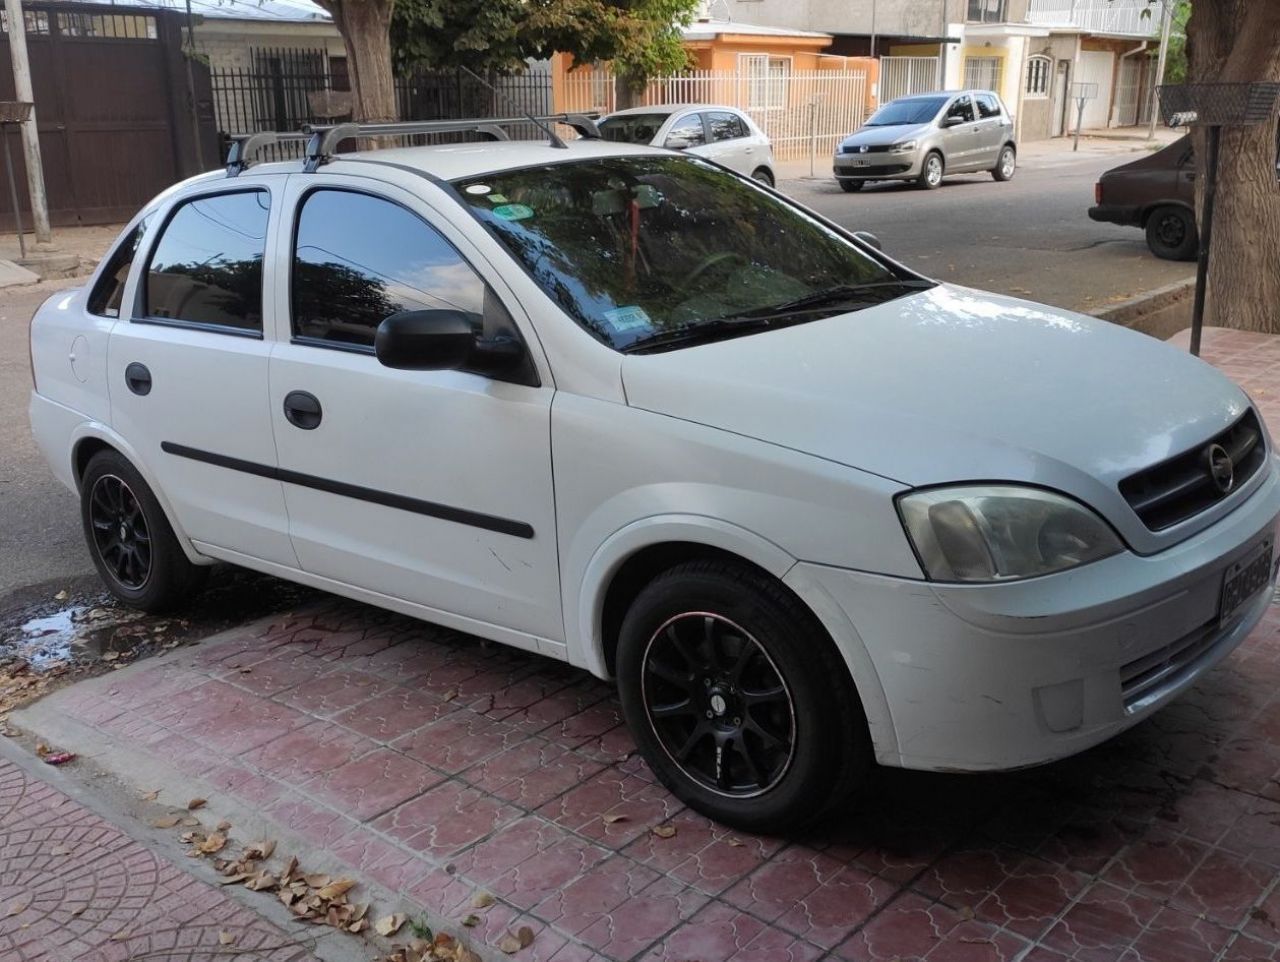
<point x="428" y="487"/>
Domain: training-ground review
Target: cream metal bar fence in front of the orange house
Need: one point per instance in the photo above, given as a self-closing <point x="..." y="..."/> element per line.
<point x="802" y="112"/>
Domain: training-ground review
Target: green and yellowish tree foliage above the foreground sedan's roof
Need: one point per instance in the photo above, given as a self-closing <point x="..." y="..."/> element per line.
<point x="641" y="36"/>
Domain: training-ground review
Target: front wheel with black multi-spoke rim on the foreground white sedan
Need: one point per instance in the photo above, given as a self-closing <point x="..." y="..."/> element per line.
<point x="762" y="729"/>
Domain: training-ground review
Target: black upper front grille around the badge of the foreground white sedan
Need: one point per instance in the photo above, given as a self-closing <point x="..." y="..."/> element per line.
<point x="1183" y="487"/>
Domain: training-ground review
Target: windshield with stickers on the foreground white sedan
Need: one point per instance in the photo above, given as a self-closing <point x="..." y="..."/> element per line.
<point x="669" y="251"/>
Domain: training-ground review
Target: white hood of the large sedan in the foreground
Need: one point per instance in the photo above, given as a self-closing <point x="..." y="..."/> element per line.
<point x="953" y="384"/>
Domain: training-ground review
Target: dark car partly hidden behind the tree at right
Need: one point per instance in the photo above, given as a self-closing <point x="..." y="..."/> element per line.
<point x="1156" y="194"/>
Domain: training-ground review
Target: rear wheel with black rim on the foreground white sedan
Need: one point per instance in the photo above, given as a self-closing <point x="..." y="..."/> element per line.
<point x="130" y="539"/>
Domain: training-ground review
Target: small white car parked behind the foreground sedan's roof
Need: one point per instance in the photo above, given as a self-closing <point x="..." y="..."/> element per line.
<point x="724" y="135"/>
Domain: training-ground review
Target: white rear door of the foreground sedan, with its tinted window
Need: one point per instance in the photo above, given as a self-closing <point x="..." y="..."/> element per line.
<point x="189" y="370"/>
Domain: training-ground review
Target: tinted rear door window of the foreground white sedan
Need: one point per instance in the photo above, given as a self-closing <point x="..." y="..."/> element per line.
<point x="208" y="265"/>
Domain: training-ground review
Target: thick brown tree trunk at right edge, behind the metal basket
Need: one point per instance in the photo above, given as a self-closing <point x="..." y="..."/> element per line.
<point x="1238" y="42"/>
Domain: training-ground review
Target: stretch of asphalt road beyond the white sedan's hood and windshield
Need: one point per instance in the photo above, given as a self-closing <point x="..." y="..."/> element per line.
<point x="1030" y="237"/>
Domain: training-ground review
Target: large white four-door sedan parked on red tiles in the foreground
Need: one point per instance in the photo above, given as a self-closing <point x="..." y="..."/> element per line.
<point x="624" y="409"/>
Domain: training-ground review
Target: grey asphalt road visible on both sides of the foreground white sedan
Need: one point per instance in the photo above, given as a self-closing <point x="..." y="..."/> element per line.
<point x="1028" y="237"/>
